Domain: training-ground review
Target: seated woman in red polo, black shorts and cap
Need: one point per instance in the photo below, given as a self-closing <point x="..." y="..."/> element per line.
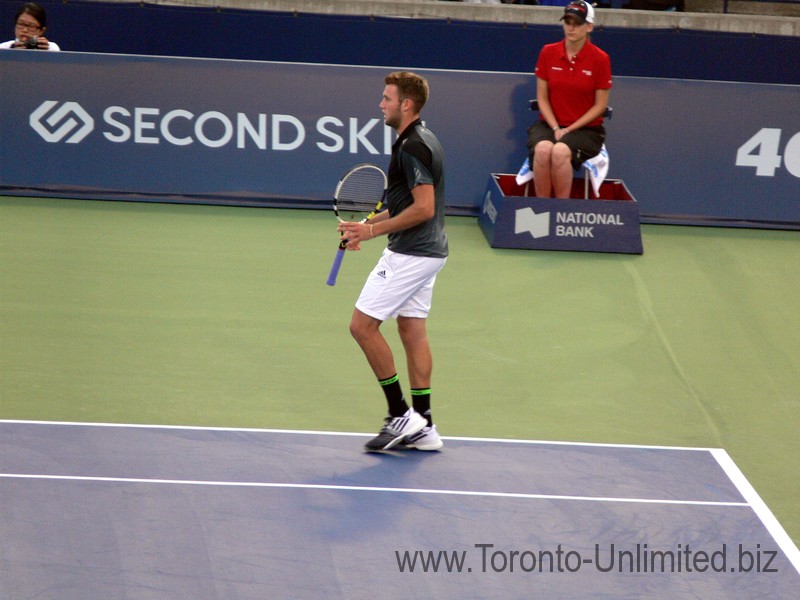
<point x="573" y="82"/>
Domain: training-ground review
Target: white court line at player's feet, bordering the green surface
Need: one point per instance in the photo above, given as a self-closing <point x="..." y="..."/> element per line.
<point x="349" y="434"/>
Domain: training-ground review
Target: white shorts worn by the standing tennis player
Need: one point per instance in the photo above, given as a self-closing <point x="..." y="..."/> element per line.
<point x="400" y="285"/>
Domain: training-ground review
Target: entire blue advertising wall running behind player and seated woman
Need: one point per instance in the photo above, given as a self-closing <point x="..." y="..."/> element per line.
<point x="280" y="134"/>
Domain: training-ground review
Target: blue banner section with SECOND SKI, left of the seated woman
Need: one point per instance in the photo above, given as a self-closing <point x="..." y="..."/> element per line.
<point x="236" y="131"/>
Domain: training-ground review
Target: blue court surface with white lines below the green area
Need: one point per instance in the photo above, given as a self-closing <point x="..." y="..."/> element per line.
<point x="133" y="511"/>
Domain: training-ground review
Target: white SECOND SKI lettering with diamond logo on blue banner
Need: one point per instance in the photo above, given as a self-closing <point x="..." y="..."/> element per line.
<point x="68" y="122"/>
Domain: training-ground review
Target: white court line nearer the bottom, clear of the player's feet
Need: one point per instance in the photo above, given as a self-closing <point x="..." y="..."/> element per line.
<point x="358" y="488"/>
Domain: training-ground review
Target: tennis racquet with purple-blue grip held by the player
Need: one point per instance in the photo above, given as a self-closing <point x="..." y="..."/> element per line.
<point x="358" y="197"/>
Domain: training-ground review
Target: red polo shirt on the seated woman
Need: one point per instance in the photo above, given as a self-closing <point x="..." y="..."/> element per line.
<point x="571" y="85"/>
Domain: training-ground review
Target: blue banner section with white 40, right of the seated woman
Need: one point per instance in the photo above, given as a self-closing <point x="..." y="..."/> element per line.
<point x="709" y="152"/>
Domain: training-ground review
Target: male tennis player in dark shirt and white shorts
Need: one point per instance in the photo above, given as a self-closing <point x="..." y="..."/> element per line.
<point x="401" y="285"/>
